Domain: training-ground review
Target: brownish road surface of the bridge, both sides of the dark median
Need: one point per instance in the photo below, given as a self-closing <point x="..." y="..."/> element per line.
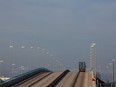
<point x="71" y="79"/>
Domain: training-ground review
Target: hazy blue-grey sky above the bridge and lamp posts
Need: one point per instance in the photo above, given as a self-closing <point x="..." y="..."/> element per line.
<point x="66" y="28"/>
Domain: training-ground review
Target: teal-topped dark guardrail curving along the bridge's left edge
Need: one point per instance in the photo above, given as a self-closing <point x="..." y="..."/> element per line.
<point x="21" y="77"/>
